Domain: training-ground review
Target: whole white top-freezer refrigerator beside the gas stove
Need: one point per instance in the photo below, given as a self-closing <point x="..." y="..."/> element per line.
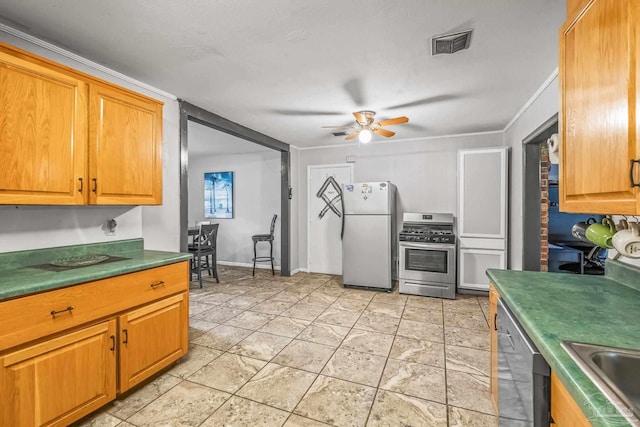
<point x="369" y="247"/>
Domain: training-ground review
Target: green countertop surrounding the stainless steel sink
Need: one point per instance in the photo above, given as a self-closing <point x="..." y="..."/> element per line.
<point x="556" y="307"/>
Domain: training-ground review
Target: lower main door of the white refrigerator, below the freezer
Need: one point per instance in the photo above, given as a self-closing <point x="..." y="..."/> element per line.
<point x="366" y="251"/>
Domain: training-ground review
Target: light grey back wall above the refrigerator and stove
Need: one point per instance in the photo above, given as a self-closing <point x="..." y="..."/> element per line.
<point x="424" y="172"/>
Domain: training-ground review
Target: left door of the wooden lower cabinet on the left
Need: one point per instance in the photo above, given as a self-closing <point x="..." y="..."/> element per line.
<point x="60" y="380"/>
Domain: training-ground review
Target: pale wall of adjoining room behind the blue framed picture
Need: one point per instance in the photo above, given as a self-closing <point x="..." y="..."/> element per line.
<point x="256" y="199"/>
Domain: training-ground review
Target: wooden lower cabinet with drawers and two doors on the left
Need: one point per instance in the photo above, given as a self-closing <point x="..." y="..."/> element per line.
<point x="59" y="377"/>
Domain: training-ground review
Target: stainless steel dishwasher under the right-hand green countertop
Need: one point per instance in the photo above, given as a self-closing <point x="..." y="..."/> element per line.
<point x="523" y="376"/>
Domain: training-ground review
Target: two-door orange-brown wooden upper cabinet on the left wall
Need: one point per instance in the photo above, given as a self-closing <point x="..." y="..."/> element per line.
<point x="69" y="138"/>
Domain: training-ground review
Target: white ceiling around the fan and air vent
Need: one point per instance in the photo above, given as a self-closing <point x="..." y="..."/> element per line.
<point x="287" y="67"/>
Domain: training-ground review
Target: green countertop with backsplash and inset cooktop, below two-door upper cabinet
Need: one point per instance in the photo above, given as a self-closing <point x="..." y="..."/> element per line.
<point x="19" y="277"/>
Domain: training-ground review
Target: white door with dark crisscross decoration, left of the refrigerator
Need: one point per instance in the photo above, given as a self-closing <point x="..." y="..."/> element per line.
<point x="324" y="216"/>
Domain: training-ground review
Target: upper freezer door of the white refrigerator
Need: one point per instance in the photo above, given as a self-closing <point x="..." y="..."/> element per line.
<point x="368" y="198"/>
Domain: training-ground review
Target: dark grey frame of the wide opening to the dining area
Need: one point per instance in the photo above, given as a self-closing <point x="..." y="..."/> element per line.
<point x="189" y="112"/>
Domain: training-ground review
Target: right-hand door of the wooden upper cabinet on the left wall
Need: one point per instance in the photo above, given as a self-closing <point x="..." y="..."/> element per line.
<point x="125" y="148"/>
